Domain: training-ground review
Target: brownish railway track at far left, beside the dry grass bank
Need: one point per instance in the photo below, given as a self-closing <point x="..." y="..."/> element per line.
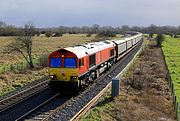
<point x="20" y="95"/>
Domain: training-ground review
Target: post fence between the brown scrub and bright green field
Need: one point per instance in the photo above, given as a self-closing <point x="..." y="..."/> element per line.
<point x="173" y="92"/>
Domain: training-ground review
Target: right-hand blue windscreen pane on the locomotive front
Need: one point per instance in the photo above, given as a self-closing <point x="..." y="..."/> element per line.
<point x="70" y="63"/>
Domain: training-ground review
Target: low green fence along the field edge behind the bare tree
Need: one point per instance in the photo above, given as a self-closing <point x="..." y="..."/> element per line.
<point x="41" y="61"/>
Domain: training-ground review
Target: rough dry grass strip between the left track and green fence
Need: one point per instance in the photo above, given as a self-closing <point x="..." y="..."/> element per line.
<point x="12" y="80"/>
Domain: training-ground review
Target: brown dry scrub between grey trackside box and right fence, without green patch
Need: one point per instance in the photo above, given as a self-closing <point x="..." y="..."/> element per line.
<point x="149" y="94"/>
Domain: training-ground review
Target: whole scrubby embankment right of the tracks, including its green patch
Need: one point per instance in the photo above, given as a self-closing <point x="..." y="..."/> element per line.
<point x="145" y="93"/>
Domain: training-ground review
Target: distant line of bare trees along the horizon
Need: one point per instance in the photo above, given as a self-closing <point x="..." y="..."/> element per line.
<point x="11" y="30"/>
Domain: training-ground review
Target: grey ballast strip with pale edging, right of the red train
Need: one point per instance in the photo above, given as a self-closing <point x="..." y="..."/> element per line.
<point x="75" y="108"/>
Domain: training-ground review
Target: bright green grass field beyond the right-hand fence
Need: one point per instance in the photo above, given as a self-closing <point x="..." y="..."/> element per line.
<point x="171" y="49"/>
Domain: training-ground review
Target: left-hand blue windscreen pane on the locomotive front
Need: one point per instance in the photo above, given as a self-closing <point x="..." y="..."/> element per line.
<point x="55" y="62"/>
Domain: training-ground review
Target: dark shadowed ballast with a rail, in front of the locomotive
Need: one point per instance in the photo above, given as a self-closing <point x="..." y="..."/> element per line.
<point x="31" y="107"/>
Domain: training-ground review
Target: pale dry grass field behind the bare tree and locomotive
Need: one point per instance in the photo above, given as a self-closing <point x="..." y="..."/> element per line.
<point x="42" y="45"/>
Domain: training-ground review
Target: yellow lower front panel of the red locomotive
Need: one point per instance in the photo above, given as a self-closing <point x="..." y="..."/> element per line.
<point x="64" y="74"/>
